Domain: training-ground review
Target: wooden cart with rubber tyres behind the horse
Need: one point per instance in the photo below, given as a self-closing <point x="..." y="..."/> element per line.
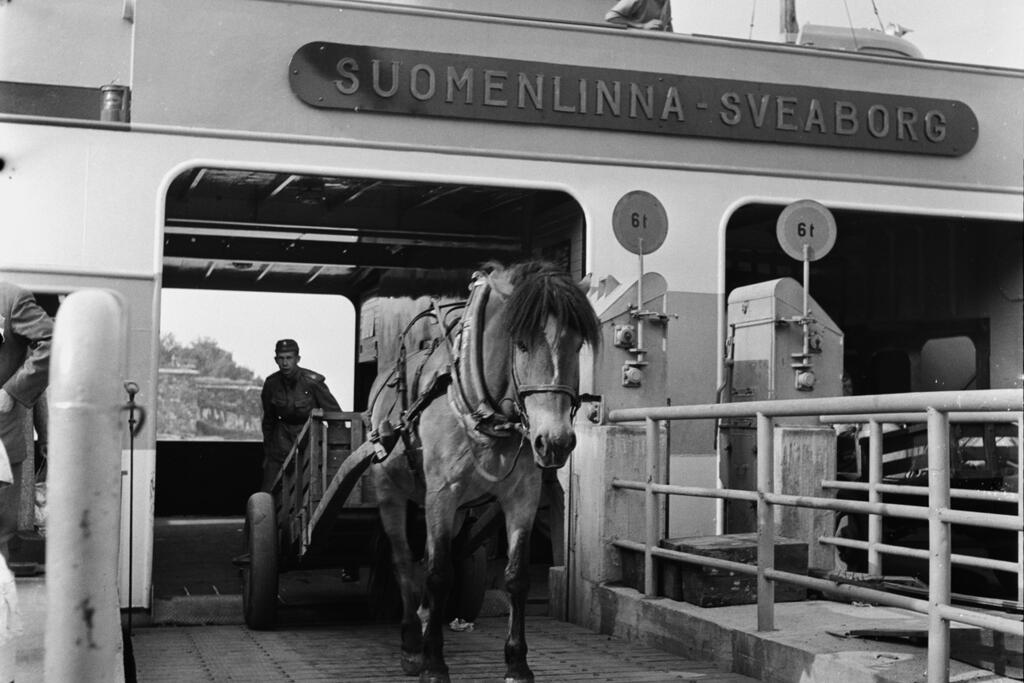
<point x="322" y="515"/>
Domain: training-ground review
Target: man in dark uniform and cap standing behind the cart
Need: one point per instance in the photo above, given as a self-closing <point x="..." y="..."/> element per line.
<point x="289" y="397"/>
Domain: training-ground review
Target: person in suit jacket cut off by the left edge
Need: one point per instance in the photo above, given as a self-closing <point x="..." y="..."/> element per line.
<point x="25" y="362"/>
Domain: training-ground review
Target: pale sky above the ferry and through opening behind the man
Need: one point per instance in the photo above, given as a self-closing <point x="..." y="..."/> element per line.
<point x="984" y="32"/>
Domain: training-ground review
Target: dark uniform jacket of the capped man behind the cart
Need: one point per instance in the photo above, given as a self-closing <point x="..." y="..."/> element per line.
<point x="288" y="405"/>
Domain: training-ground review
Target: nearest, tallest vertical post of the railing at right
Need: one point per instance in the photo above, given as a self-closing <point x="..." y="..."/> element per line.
<point x="940" y="546"/>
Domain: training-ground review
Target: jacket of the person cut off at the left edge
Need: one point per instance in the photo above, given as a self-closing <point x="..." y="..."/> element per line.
<point x="25" y="362"/>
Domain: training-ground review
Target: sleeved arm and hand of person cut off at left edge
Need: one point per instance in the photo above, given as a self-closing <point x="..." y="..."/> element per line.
<point x="29" y="322"/>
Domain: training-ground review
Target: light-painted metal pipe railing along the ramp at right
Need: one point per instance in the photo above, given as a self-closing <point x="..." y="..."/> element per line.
<point x="936" y="409"/>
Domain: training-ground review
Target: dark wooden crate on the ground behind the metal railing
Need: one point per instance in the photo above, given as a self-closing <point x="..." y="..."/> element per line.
<point x="709" y="587"/>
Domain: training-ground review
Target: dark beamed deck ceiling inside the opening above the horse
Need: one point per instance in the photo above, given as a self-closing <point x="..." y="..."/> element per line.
<point x="244" y="230"/>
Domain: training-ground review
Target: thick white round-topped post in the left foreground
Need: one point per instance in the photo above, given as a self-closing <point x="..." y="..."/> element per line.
<point x="83" y="627"/>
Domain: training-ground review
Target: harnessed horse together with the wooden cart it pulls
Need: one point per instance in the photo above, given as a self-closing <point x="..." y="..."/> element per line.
<point x="472" y="426"/>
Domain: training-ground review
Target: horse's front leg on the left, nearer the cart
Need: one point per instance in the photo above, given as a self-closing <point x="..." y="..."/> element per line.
<point x="441" y="508"/>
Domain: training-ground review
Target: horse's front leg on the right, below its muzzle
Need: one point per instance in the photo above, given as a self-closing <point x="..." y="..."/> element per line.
<point x="520" y="513"/>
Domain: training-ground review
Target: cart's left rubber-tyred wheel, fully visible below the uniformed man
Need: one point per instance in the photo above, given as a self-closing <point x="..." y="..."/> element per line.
<point x="260" y="579"/>
